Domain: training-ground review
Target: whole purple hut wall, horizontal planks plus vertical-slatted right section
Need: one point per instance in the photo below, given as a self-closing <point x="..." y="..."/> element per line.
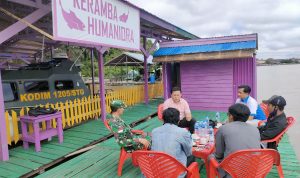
<point x="211" y="85"/>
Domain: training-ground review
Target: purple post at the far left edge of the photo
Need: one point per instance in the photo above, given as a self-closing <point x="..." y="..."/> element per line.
<point x="3" y="137"/>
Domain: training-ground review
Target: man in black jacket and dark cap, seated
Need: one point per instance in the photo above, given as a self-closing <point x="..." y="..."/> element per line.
<point x="276" y="122"/>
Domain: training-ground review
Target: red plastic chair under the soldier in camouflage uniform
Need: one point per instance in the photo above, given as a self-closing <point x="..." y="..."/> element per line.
<point x="124" y="155"/>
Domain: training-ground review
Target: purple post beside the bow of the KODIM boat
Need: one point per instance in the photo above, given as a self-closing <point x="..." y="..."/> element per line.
<point x="101" y="82"/>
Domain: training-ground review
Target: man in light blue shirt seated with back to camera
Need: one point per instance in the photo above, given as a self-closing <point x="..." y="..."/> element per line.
<point x="171" y="139"/>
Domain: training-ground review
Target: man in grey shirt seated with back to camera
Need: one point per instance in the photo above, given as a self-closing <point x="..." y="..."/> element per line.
<point x="236" y="135"/>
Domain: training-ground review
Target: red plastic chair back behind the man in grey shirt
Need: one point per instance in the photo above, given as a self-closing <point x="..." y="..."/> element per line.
<point x="248" y="164"/>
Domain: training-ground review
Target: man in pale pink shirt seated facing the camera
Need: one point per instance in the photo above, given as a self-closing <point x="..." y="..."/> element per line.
<point x="182" y="106"/>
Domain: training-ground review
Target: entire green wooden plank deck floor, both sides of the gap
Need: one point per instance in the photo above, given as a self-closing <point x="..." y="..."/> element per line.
<point x="102" y="160"/>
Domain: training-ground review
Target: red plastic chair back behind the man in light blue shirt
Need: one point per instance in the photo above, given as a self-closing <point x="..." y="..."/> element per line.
<point x="161" y="165"/>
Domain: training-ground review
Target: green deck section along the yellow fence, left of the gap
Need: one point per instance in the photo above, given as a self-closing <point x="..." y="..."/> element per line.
<point x="23" y="161"/>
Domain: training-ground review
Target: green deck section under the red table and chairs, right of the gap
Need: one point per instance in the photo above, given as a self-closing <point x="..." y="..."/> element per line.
<point x="102" y="161"/>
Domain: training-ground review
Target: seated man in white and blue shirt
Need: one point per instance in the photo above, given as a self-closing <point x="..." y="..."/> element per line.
<point x="244" y="97"/>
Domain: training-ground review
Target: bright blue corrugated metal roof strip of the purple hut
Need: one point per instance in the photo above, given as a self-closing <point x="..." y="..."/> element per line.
<point x="205" y="48"/>
